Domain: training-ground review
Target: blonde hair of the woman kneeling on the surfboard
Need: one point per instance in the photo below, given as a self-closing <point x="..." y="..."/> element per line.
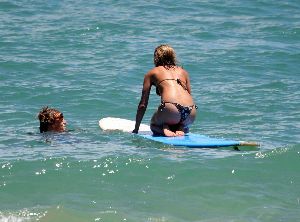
<point x="164" y="55"/>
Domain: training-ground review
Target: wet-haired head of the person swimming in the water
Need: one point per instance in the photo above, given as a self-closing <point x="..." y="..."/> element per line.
<point x="51" y="120"/>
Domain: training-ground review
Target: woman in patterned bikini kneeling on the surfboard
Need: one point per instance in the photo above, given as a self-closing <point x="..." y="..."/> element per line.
<point x="177" y="109"/>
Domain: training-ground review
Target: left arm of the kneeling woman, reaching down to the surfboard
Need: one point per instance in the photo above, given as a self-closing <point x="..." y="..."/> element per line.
<point x="143" y="102"/>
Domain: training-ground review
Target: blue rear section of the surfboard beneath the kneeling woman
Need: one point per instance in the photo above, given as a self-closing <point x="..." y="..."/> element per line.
<point x="191" y="140"/>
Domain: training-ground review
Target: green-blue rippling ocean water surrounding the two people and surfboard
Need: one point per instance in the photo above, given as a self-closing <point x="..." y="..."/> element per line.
<point x="88" y="59"/>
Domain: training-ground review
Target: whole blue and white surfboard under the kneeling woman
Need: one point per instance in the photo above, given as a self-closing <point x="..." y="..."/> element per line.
<point x="189" y="140"/>
